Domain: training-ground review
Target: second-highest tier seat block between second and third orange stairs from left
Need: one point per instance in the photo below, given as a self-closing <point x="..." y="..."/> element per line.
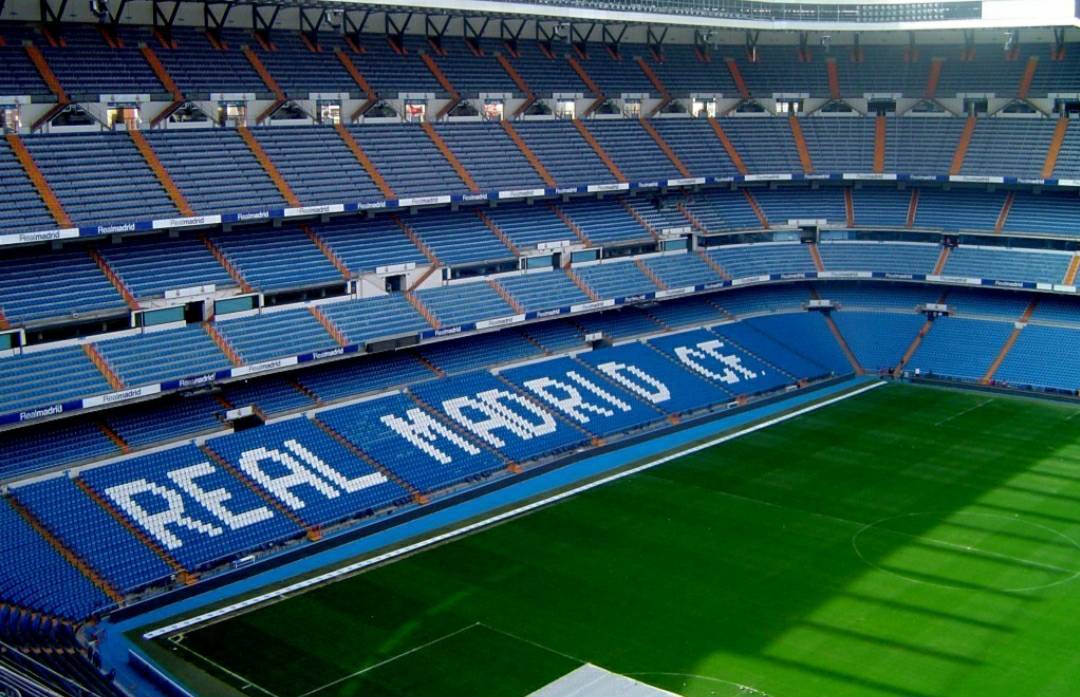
<point x="215" y="170"/>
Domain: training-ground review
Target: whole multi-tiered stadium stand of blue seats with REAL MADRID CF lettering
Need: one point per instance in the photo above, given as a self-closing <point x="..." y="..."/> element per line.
<point x="415" y="290"/>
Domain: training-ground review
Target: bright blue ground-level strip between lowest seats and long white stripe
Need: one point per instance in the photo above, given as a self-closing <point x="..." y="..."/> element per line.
<point x="117" y="650"/>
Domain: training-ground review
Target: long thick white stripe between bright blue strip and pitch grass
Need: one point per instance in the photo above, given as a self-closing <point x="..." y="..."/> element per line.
<point x="409" y="549"/>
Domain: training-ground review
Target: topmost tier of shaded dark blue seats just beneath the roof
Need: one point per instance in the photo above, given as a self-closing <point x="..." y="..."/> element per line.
<point x="201" y="66"/>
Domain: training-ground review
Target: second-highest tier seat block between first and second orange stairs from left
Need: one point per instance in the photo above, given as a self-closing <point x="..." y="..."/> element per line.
<point x="100" y="178"/>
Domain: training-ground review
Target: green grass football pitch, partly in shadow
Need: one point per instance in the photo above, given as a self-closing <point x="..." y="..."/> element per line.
<point x="907" y="543"/>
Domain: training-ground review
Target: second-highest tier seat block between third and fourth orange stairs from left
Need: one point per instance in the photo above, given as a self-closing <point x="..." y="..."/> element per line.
<point x="317" y="165"/>
